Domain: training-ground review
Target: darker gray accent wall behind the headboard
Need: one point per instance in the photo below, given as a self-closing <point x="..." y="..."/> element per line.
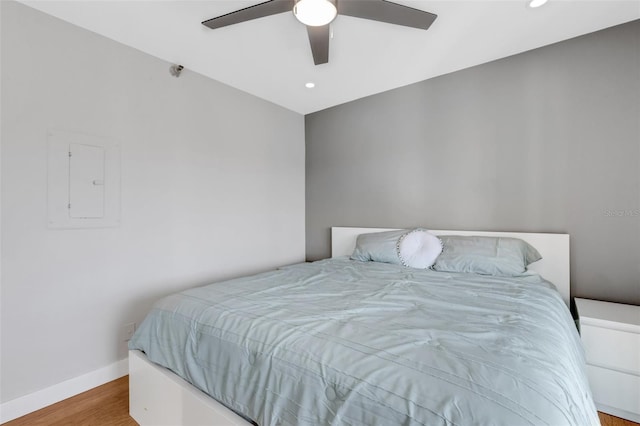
<point x="544" y="141"/>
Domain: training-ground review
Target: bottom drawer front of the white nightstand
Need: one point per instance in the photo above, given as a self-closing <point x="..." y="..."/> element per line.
<point x="614" y="389"/>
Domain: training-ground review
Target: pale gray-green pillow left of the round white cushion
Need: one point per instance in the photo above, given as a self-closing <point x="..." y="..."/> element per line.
<point x="378" y="247"/>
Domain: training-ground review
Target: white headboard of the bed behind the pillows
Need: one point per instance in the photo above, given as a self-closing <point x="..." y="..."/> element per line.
<point x="554" y="248"/>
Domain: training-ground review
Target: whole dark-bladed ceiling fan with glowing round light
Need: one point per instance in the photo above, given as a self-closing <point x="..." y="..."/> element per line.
<point x="318" y="14"/>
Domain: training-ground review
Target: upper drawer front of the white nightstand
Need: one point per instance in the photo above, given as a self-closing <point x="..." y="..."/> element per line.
<point x="605" y="347"/>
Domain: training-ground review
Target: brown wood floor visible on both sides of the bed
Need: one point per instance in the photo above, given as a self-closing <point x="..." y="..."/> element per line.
<point x="108" y="405"/>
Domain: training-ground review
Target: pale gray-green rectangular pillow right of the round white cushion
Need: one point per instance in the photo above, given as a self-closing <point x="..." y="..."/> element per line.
<point x="497" y="256"/>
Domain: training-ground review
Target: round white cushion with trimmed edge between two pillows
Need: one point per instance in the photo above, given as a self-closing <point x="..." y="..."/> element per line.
<point x="419" y="249"/>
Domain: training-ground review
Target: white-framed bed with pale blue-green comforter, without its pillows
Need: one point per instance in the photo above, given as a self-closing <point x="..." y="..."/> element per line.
<point x="346" y="342"/>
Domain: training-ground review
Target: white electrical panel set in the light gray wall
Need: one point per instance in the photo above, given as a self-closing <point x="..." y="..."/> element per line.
<point x="83" y="181"/>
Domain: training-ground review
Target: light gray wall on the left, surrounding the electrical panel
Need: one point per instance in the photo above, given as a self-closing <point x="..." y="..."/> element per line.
<point x="204" y="196"/>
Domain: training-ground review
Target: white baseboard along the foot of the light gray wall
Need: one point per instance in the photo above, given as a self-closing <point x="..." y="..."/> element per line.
<point x="34" y="401"/>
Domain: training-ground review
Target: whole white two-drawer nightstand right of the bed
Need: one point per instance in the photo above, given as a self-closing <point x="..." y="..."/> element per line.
<point x="611" y="337"/>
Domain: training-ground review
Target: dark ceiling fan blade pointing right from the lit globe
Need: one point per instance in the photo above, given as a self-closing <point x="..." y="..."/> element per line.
<point x="386" y="11"/>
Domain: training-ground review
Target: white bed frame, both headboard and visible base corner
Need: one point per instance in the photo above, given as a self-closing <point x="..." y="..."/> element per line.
<point x="158" y="397"/>
